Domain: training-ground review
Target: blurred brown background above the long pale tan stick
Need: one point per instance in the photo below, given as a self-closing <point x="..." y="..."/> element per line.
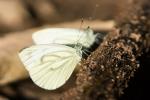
<point x="16" y="15"/>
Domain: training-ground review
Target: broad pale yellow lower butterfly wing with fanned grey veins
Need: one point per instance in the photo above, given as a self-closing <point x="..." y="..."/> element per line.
<point x="50" y="66"/>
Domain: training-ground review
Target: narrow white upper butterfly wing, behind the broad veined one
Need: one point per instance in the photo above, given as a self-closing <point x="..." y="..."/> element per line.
<point x="64" y="36"/>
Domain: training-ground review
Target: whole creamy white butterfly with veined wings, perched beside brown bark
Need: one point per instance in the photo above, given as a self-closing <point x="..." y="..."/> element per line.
<point x="49" y="64"/>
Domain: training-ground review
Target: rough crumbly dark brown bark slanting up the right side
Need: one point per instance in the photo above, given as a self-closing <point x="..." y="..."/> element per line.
<point x="106" y="72"/>
